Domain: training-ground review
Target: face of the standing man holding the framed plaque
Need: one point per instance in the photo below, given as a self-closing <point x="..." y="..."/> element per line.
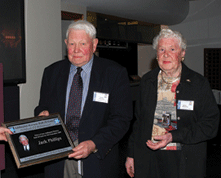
<point x="80" y="47"/>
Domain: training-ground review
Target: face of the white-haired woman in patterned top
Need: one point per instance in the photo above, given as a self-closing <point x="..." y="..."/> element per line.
<point x="169" y="55"/>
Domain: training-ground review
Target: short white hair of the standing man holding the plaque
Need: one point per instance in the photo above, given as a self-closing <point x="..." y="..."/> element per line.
<point x="82" y="25"/>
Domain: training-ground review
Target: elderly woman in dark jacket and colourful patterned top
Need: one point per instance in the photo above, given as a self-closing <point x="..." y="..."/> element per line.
<point x="176" y="114"/>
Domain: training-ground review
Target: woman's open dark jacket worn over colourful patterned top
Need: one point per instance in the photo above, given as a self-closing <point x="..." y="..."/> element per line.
<point x="194" y="127"/>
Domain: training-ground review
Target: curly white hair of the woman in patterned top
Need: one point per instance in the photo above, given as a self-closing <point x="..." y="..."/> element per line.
<point x="168" y="33"/>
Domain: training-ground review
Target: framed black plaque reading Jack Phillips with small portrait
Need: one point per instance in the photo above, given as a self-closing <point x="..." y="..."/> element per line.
<point x="38" y="139"/>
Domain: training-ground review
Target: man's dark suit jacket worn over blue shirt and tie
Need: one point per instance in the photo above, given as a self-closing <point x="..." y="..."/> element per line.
<point x="105" y="124"/>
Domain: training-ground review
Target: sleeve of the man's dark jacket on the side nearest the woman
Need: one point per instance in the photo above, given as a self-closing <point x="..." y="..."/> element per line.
<point x="119" y="114"/>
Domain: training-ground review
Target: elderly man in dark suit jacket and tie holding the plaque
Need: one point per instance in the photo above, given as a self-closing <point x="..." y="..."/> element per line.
<point x="92" y="95"/>
